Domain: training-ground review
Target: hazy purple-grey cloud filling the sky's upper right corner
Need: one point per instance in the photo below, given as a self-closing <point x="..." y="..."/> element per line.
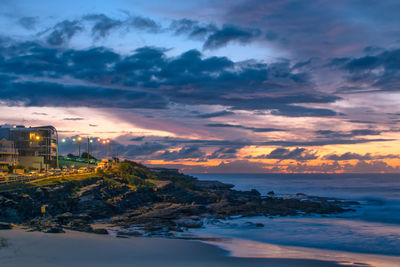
<point x="310" y="28"/>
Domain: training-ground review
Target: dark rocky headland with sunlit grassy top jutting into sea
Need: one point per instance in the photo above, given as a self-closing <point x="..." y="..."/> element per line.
<point x="139" y="202"/>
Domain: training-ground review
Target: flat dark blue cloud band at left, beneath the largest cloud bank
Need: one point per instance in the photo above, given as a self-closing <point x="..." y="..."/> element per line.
<point x="42" y="94"/>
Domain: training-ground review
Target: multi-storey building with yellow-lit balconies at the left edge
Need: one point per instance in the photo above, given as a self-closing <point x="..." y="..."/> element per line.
<point x="37" y="147"/>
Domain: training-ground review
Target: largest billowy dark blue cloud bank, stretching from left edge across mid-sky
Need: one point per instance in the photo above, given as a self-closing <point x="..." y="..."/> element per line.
<point x="188" y="78"/>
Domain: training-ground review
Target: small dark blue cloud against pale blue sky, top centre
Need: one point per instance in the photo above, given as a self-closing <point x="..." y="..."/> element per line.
<point x="230" y="33"/>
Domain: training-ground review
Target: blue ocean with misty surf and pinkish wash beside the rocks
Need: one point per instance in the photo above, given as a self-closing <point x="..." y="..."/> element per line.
<point x="369" y="235"/>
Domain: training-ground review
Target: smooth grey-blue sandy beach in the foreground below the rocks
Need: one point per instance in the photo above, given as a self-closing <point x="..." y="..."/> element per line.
<point x="82" y="249"/>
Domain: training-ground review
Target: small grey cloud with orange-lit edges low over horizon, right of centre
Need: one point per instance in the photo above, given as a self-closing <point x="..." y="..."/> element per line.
<point x="299" y="154"/>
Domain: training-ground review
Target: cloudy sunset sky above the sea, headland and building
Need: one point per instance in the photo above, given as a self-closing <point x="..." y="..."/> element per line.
<point x="253" y="86"/>
